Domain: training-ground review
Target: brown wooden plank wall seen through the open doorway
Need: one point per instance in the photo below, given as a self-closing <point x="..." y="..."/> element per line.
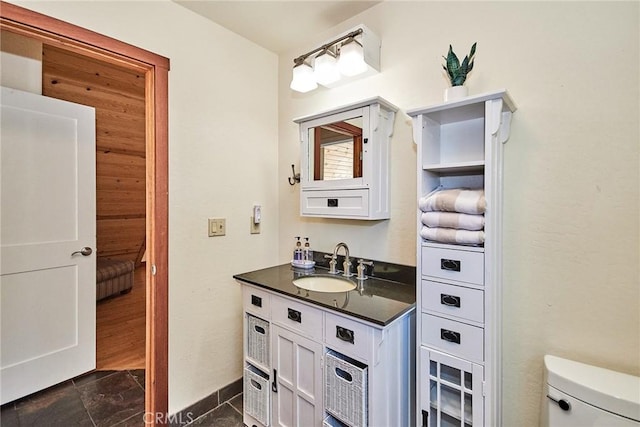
<point x="118" y="96"/>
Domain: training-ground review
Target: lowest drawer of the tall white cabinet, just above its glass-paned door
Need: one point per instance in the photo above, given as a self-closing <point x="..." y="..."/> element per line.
<point x="453" y="337"/>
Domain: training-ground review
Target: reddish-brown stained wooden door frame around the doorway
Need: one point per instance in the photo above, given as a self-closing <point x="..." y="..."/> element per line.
<point x="156" y="70"/>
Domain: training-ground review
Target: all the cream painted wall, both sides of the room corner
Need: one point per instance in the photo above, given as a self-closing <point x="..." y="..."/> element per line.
<point x="572" y="175"/>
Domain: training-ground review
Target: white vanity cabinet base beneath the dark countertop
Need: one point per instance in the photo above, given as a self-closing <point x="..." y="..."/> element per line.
<point x="324" y="368"/>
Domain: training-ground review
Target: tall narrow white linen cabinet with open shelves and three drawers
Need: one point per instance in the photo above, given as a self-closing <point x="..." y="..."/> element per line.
<point x="458" y="297"/>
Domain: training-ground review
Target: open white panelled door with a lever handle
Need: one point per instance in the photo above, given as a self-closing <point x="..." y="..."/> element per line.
<point x="47" y="242"/>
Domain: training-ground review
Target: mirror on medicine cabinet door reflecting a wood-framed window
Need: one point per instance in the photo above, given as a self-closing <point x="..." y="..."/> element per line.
<point x="337" y="150"/>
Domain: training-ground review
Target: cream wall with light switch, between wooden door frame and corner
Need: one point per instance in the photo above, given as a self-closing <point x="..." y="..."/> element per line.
<point x="222" y="160"/>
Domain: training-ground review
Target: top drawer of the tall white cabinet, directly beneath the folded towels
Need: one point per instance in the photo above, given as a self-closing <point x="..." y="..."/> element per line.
<point x="453" y="264"/>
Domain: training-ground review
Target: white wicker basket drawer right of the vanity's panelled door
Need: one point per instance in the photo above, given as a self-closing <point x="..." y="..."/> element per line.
<point x="345" y="392"/>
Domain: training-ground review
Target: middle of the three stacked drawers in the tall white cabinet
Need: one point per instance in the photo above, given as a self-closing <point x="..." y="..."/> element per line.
<point x="455" y="301"/>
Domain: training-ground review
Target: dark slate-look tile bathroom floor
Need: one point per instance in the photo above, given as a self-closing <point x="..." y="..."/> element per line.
<point x="103" y="398"/>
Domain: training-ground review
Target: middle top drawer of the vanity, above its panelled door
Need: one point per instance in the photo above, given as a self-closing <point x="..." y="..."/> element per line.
<point x="297" y="317"/>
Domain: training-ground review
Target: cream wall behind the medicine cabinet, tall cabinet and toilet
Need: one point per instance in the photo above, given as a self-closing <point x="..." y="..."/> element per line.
<point x="572" y="168"/>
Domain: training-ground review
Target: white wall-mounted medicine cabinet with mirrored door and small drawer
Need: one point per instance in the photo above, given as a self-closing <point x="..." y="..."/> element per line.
<point x="345" y="161"/>
